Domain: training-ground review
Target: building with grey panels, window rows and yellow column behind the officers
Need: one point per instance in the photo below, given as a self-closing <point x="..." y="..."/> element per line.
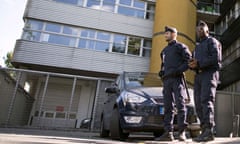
<point x="99" y="39"/>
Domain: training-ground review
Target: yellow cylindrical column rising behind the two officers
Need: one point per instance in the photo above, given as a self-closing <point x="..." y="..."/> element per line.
<point x="179" y="14"/>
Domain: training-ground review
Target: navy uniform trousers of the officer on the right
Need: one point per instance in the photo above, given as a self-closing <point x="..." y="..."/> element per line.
<point x="205" y="86"/>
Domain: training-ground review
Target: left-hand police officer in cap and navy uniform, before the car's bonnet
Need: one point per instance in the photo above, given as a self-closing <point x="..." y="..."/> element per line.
<point x="175" y="57"/>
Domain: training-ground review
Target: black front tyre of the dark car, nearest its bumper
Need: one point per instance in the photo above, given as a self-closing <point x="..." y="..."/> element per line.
<point x="116" y="131"/>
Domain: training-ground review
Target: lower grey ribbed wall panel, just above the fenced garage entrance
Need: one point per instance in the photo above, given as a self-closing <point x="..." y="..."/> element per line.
<point x="75" y="58"/>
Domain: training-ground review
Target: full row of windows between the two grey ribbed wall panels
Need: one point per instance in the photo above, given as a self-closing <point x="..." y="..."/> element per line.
<point x="86" y="38"/>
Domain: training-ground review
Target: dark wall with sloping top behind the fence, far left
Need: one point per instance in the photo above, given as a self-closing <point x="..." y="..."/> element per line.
<point x="15" y="105"/>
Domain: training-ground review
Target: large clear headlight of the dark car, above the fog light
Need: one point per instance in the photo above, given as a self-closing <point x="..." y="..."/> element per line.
<point x="129" y="97"/>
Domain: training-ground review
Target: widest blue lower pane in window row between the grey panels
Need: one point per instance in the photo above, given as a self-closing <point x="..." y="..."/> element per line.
<point x="58" y="39"/>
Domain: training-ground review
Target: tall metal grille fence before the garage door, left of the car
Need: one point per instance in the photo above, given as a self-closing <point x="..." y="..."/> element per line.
<point x="42" y="99"/>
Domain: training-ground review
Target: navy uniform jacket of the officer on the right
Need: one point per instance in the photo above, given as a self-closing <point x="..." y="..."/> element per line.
<point x="208" y="54"/>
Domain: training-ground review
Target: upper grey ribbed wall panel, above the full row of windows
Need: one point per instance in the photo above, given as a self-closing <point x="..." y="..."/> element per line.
<point x="90" y="18"/>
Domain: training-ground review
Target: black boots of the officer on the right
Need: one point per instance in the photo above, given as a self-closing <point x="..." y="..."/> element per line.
<point x="206" y="135"/>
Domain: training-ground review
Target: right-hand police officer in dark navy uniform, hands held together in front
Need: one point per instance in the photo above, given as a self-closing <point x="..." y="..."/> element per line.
<point x="206" y="62"/>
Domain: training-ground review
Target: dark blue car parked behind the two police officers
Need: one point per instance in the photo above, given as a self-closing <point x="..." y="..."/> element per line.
<point x="135" y="104"/>
